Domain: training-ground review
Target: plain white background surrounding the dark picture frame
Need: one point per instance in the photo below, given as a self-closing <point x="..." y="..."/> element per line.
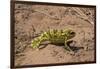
<point x="5" y="34"/>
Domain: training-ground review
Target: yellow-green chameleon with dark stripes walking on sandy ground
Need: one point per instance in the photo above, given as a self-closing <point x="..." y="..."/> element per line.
<point x="54" y="36"/>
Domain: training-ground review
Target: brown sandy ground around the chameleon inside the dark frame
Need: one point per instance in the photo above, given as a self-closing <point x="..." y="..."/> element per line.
<point x="31" y="20"/>
